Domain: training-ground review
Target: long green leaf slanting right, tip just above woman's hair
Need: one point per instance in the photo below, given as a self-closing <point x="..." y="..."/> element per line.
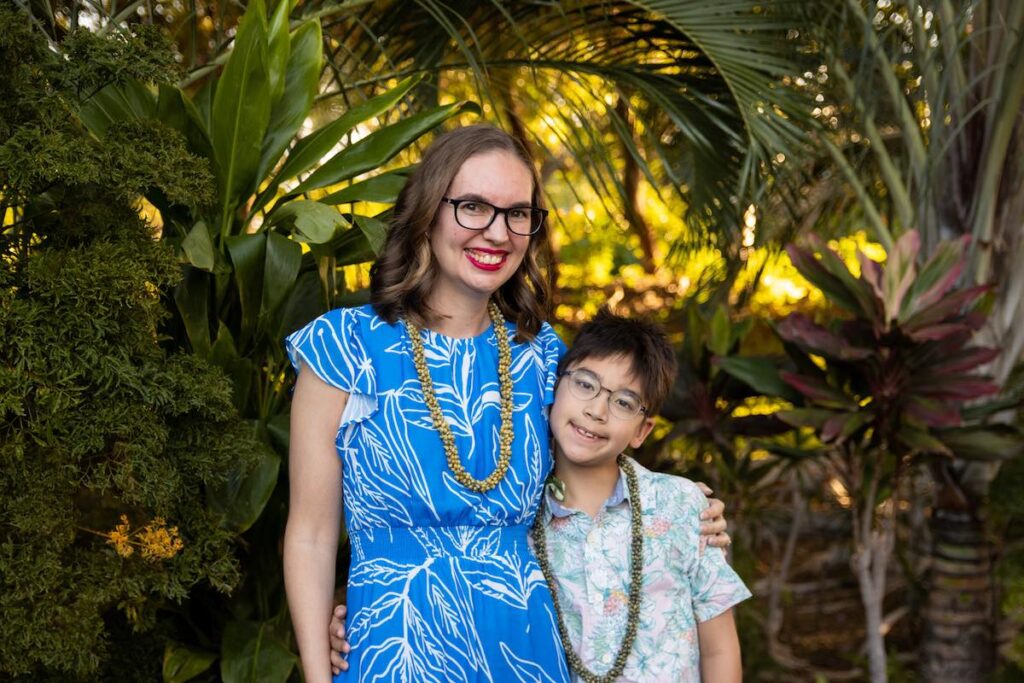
<point x="380" y="147"/>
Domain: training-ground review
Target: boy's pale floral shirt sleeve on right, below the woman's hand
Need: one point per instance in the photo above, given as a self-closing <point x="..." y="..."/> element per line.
<point x="715" y="587"/>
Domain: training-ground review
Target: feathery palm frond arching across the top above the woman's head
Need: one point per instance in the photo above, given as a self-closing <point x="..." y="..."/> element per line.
<point x="703" y="81"/>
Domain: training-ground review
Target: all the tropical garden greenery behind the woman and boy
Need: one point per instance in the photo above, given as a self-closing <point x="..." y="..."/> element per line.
<point x="202" y="178"/>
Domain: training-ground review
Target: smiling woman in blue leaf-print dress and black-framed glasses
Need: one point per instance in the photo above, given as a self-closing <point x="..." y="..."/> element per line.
<point x="428" y="409"/>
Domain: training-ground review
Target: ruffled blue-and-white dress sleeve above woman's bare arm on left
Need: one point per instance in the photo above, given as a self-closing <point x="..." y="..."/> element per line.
<point x="332" y="348"/>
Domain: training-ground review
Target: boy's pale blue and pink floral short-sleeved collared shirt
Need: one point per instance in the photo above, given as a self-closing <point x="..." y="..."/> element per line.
<point x="682" y="584"/>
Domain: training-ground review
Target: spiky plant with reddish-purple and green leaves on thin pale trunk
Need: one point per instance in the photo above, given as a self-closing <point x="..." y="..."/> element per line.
<point x="888" y="387"/>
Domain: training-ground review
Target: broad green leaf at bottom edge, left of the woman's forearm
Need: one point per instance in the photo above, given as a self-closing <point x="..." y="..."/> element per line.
<point x="251" y="653"/>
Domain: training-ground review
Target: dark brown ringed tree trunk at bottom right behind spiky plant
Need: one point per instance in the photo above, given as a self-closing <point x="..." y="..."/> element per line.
<point x="958" y="644"/>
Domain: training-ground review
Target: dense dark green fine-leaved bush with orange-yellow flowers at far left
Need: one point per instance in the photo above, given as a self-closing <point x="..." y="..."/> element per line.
<point x="100" y="425"/>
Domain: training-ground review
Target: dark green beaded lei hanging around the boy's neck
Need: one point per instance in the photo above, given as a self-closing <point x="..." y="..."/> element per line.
<point x="636" y="584"/>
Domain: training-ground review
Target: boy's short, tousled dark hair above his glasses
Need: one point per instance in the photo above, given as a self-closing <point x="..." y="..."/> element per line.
<point x="653" y="361"/>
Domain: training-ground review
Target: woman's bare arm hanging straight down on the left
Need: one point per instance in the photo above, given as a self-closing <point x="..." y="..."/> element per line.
<point x="314" y="519"/>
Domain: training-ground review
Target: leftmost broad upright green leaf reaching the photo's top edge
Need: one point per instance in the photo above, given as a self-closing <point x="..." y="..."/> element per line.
<point x="241" y="113"/>
